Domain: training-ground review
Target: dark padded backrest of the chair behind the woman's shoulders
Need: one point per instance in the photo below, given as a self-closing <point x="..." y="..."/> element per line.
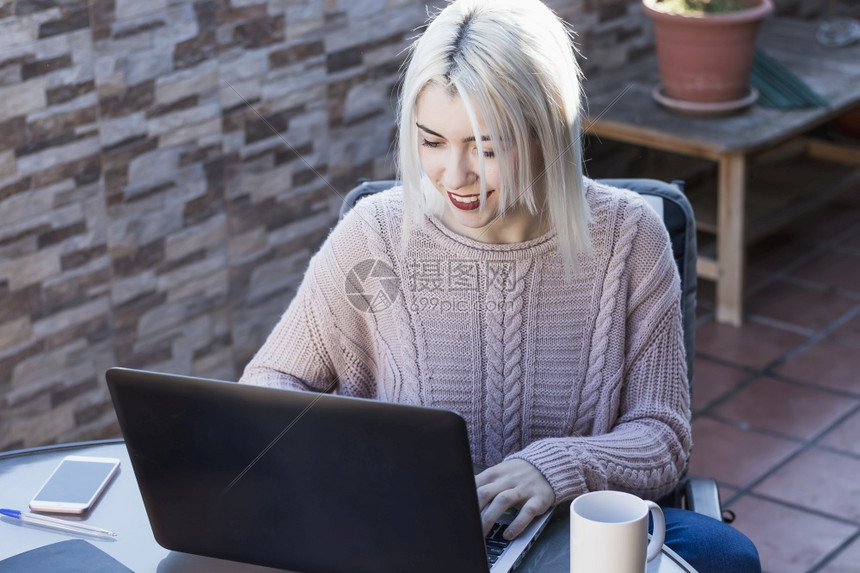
<point x="670" y="203"/>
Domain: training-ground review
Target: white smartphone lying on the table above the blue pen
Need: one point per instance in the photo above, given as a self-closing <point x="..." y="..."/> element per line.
<point x="75" y="484"/>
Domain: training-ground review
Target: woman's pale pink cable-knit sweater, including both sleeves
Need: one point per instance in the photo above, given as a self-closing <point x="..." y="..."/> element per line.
<point x="585" y="378"/>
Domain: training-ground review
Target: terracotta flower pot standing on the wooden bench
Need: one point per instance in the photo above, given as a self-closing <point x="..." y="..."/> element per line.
<point x="706" y="57"/>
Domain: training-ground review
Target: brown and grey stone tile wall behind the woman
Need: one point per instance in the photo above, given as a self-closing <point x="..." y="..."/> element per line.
<point x="167" y="167"/>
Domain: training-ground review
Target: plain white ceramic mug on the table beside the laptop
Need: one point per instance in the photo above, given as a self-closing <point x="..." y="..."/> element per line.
<point x="609" y="533"/>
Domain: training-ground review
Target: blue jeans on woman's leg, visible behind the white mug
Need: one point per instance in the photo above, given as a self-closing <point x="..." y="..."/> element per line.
<point x="709" y="545"/>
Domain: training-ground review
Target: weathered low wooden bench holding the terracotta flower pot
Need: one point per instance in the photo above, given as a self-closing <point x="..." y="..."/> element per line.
<point x="620" y="107"/>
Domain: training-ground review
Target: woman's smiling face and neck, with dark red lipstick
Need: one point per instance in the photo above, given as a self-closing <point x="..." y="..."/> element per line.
<point x="449" y="157"/>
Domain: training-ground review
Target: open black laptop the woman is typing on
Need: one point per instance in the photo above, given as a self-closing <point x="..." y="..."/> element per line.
<point x="304" y="481"/>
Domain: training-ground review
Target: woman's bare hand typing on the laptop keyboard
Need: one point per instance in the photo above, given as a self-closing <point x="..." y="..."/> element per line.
<point x="513" y="483"/>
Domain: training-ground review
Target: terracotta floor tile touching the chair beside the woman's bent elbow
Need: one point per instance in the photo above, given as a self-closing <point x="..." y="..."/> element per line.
<point x="733" y="456"/>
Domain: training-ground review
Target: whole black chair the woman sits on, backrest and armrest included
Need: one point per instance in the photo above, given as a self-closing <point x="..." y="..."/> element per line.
<point x="697" y="494"/>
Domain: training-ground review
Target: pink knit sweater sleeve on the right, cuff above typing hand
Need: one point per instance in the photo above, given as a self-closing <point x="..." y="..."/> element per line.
<point x="640" y="439"/>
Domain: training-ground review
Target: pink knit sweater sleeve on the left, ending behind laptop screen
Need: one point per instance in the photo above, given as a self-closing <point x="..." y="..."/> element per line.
<point x="322" y="342"/>
